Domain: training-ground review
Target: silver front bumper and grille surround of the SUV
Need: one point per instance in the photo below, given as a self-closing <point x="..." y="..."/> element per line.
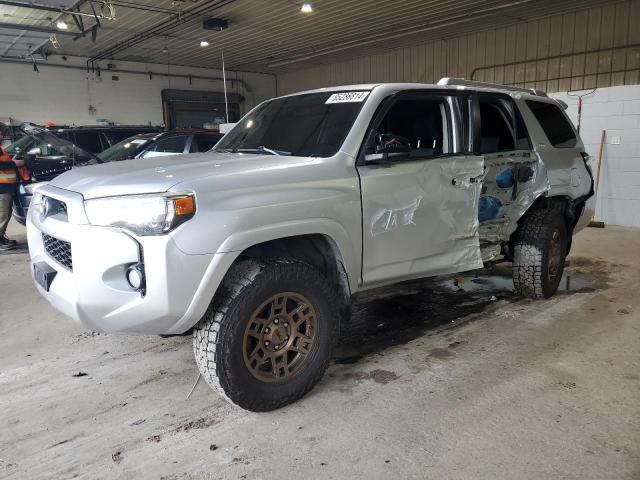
<point x="179" y="286"/>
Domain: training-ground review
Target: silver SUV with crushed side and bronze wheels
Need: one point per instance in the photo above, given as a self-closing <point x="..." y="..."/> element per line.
<point x="260" y="243"/>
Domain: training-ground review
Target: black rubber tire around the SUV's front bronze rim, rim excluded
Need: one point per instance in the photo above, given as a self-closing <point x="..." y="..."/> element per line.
<point x="219" y="340"/>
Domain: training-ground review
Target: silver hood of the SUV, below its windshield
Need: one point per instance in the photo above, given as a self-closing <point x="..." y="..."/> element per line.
<point x="159" y="174"/>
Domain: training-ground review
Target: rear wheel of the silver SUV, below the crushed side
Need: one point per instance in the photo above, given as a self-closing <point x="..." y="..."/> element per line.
<point x="539" y="252"/>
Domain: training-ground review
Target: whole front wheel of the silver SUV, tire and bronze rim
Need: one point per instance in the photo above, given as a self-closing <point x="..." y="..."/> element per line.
<point x="267" y="337"/>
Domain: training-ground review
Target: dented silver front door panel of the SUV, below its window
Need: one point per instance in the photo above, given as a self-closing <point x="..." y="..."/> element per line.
<point x="420" y="217"/>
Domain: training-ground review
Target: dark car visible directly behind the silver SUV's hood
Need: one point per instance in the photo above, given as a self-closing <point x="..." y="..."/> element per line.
<point x="161" y="144"/>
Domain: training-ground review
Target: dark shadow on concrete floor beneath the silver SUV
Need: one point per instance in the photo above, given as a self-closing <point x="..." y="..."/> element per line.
<point x="395" y="315"/>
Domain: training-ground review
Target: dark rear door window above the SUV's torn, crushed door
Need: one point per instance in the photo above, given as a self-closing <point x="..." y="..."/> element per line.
<point x="501" y="126"/>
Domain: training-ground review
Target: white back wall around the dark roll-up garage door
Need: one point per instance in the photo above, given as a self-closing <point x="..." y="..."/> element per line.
<point x="64" y="95"/>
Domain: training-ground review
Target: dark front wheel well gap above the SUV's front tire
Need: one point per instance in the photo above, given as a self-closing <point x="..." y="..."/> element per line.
<point x="318" y="250"/>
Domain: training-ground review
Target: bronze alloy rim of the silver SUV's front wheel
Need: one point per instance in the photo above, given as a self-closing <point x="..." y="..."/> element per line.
<point x="279" y="337"/>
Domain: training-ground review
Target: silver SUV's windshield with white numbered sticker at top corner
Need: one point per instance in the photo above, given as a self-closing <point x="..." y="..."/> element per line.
<point x="308" y="125"/>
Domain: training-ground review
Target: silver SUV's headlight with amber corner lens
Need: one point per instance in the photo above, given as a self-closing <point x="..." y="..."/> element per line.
<point x="153" y="214"/>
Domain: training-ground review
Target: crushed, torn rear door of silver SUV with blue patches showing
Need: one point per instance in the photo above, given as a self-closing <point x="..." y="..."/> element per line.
<point x="513" y="181"/>
